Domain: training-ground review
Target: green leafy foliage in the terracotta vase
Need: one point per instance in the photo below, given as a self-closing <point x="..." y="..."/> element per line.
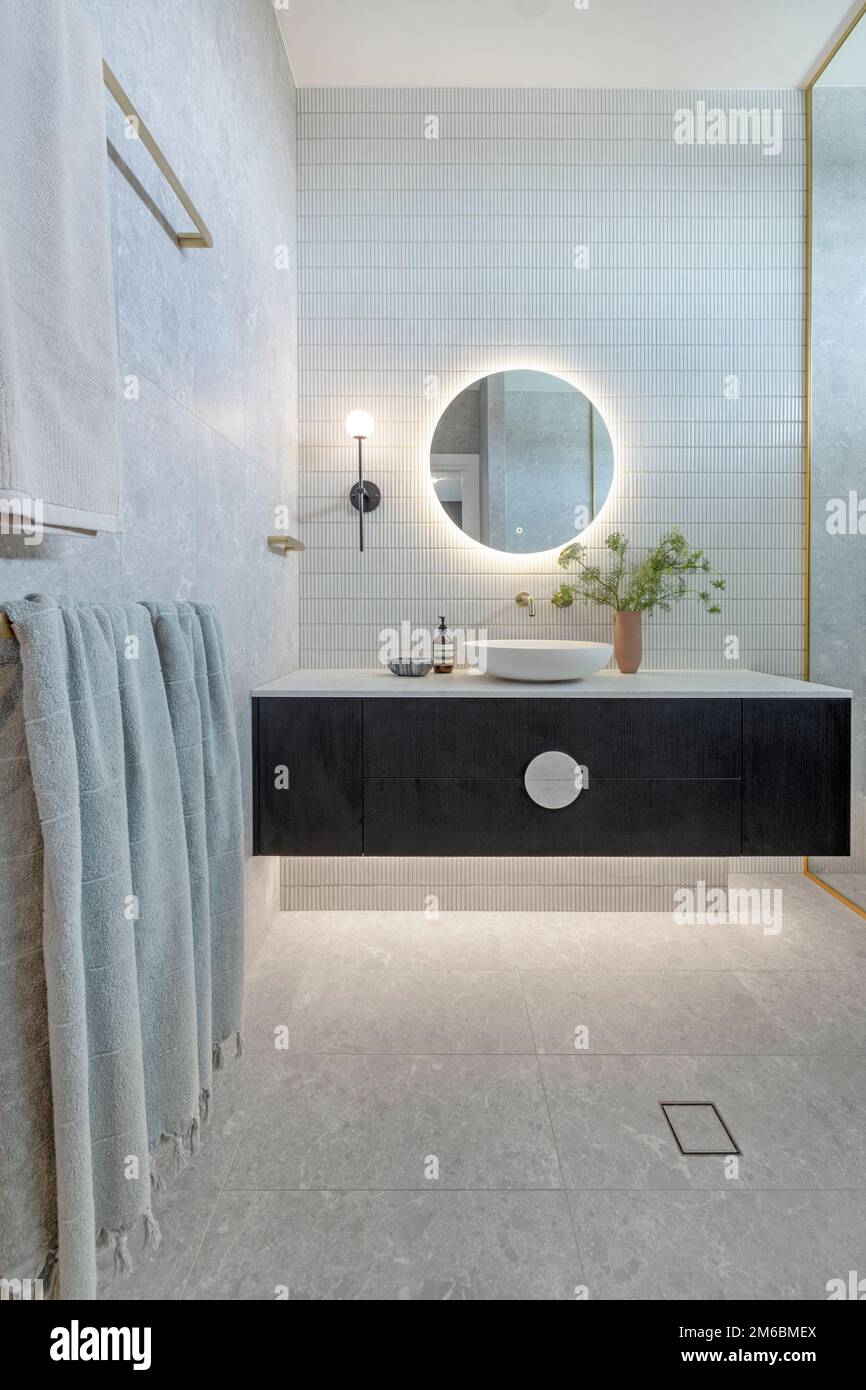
<point x="658" y="582"/>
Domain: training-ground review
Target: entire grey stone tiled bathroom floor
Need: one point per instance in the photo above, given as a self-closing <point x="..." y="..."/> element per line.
<point x="411" y="1040"/>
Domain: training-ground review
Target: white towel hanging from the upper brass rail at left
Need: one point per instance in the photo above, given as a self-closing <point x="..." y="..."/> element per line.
<point x="59" y="372"/>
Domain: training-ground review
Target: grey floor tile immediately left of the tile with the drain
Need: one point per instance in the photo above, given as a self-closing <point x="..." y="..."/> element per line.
<point x="387" y="1122"/>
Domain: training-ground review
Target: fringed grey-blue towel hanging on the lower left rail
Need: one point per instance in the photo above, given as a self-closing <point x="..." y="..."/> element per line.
<point x="129" y="797"/>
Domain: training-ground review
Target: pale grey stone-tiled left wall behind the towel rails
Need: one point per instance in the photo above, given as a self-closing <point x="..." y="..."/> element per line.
<point x="208" y="343"/>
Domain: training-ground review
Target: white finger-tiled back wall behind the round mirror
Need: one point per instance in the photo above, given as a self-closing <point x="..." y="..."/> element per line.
<point x="426" y="263"/>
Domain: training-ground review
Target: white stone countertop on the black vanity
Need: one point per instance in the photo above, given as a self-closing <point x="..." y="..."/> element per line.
<point x="380" y="683"/>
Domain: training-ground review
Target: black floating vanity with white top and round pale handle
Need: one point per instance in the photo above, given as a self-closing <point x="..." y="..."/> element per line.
<point x="665" y="764"/>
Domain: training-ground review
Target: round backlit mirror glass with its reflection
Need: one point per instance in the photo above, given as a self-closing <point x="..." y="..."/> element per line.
<point x="522" y="461"/>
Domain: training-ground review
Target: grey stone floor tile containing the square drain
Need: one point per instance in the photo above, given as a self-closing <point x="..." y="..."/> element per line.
<point x="800" y="1122"/>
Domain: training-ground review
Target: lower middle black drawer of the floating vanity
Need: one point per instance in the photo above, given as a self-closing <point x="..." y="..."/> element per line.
<point x="496" y="817"/>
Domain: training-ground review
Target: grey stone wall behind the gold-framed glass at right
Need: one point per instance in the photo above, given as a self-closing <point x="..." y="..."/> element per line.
<point x="839" y="434"/>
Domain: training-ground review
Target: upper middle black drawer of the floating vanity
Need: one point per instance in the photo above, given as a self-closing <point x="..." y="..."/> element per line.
<point x="635" y="739"/>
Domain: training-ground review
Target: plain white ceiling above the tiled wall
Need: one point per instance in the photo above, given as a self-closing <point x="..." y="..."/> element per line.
<point x="612" y="44"/>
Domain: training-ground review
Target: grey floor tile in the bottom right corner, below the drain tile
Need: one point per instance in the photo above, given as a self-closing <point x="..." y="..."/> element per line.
<point x="719" y="1245"/>
